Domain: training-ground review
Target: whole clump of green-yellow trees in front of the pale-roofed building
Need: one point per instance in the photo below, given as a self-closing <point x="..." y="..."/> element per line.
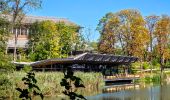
<point x="52" y="40"/>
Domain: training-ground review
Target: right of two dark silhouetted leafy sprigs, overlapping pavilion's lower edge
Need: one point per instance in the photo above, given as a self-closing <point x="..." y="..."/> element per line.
<point x="71" y="83"/>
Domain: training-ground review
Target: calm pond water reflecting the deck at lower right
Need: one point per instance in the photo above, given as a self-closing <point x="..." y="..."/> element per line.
<point x="134" y="92"/>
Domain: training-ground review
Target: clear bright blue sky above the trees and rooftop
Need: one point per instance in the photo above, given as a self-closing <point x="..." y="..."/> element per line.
<point x="87" y="13"/>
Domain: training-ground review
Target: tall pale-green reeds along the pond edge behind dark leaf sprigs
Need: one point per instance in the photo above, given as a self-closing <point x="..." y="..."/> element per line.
<point x="49" y="83"/>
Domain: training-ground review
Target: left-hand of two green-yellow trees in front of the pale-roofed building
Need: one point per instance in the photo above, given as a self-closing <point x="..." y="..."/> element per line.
<point x="44" y="41"/>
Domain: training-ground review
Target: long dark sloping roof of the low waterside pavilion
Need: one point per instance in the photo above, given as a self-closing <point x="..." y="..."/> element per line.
<point x="89" y="58"/>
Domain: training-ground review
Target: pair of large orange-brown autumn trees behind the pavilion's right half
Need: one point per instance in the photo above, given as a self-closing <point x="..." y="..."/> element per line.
<point x="124" y="29"/>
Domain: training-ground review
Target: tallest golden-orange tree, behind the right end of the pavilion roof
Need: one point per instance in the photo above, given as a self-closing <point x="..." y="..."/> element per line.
<point x="133" y="32"/>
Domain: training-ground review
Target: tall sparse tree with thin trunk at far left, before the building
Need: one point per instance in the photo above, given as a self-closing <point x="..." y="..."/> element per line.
<point x="17" y="9"/>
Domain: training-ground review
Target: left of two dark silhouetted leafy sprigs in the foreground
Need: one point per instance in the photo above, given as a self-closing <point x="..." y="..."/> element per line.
<point x="32" y="88"/>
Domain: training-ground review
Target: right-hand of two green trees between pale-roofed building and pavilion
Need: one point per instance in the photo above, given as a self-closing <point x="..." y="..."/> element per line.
<point x="69" y="38"/>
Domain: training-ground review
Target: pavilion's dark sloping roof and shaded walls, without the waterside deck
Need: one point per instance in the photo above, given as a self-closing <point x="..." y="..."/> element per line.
<point x="86" y="62"/>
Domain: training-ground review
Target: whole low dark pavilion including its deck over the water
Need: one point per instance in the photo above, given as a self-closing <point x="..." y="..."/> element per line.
<point x="115" y="69"/>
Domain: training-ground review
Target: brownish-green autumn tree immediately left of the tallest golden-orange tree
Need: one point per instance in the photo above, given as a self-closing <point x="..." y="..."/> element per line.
<point x="107" y="28"/>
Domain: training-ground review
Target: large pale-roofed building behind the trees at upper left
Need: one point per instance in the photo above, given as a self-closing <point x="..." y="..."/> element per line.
<point x="23" y="31"/>
